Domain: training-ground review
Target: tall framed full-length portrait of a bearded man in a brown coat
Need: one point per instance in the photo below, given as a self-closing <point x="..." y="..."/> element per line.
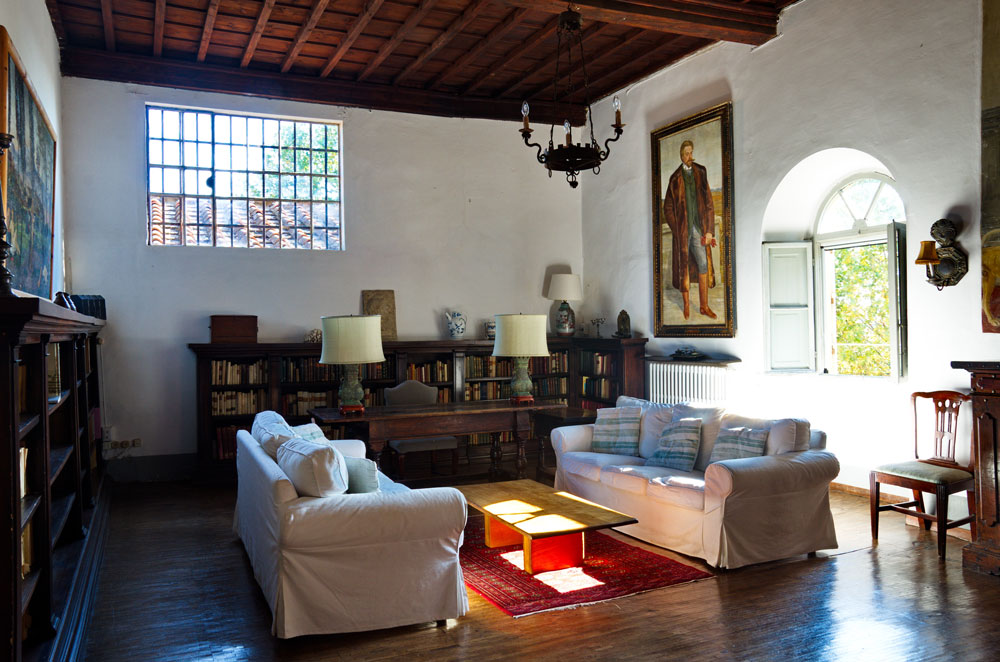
<point x="693" y="248"/>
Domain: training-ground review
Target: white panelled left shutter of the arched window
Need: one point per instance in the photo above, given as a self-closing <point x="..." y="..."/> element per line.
<point x="790" y="336"/>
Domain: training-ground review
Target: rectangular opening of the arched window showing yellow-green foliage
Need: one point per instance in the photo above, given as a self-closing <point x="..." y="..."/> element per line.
<point x="861" y="301"/>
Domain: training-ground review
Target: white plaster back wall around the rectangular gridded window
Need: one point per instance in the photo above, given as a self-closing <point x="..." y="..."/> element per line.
<point x="446" y="212"/>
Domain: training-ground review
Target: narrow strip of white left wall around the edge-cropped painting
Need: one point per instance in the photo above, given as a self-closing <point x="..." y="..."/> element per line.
<point x="30" y="29"/>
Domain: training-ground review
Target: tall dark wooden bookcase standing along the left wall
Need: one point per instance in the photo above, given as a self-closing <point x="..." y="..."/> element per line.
<point x="50" y="395"/>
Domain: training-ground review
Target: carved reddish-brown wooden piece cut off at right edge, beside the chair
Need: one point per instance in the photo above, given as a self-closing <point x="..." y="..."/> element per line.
<point x="983" y="553"/>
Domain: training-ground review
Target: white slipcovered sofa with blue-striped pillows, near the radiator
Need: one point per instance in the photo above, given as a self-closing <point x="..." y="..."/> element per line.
<point x="730" y="513"/>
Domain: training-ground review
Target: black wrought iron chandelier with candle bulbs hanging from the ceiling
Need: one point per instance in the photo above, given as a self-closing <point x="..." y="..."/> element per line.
<point x="569" y="157"/>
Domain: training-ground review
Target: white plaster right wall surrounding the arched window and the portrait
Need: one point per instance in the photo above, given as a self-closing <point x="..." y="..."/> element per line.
<point x="898" y="79"/>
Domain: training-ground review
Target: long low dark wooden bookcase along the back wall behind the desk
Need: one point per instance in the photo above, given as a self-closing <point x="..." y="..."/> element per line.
<point x="237" y="380"/>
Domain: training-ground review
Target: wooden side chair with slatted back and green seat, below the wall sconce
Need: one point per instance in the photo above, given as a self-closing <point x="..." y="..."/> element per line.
<point x="940" y="474"/>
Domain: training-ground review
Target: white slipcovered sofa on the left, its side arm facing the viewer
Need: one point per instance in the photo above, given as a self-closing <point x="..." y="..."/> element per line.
<point x="350" y="562"/>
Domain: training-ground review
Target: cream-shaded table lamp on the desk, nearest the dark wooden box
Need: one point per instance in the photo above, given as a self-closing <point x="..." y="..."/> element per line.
<point x="349" y="340"/>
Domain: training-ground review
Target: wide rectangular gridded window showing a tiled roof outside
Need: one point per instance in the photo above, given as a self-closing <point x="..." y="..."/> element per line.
<point x="219" y="179"/>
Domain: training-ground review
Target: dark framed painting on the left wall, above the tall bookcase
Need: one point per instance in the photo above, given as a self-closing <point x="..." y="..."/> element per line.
<point x="27" y="176"/>
